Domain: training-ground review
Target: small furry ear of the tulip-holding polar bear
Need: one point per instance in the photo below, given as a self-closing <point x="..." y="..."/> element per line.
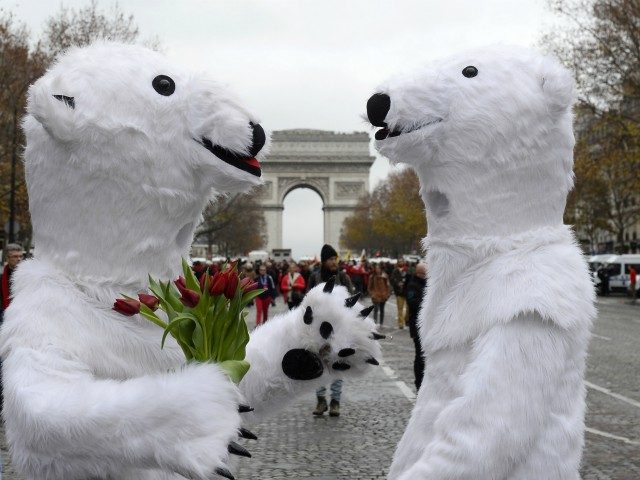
<point x="55" y="111"/>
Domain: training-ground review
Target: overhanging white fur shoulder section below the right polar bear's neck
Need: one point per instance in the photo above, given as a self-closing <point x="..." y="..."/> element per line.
<point x="544" y="273"/>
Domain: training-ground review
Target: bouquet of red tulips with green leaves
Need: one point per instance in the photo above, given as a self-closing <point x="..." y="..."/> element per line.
<point x="206" y="317"/>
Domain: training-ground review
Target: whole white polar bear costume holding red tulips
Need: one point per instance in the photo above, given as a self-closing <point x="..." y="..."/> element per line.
<point x="124" y="149"/>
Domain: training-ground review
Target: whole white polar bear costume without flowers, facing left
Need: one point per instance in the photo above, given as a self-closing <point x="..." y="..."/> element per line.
<point x="507" y="314"/>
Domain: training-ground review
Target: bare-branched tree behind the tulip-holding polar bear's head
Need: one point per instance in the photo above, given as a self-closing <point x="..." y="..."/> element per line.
<point x="21" y="63"/>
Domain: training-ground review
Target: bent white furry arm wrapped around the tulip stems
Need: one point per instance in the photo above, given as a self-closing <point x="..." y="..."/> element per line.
<point x="63" y="422"/>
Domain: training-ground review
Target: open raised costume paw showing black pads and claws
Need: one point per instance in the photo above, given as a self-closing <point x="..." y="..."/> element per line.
<point x="336" y="335"/>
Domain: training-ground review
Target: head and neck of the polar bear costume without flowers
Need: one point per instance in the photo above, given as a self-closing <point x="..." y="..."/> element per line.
<point x="489" y="133"/>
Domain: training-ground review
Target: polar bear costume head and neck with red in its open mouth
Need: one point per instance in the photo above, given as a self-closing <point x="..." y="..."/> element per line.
<point x="124" y="149"/>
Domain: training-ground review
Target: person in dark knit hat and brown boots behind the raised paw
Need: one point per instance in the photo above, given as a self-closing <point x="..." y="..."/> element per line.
<point x="329" y="268"/>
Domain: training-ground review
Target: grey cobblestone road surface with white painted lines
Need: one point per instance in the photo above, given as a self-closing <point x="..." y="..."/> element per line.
<point x="360" y="443"/>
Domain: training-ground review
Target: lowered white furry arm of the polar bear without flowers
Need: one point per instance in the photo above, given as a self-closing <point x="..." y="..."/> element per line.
<point x="515" y="371"/>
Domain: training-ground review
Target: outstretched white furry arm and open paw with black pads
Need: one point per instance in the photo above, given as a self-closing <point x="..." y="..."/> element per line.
<point x="293" y="353"/>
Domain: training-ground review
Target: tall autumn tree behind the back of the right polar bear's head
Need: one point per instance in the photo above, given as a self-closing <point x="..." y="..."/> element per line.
<point x="600" y="42"/>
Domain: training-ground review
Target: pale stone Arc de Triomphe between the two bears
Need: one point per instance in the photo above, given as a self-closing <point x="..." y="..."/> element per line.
<point x="335" y="165"/>
